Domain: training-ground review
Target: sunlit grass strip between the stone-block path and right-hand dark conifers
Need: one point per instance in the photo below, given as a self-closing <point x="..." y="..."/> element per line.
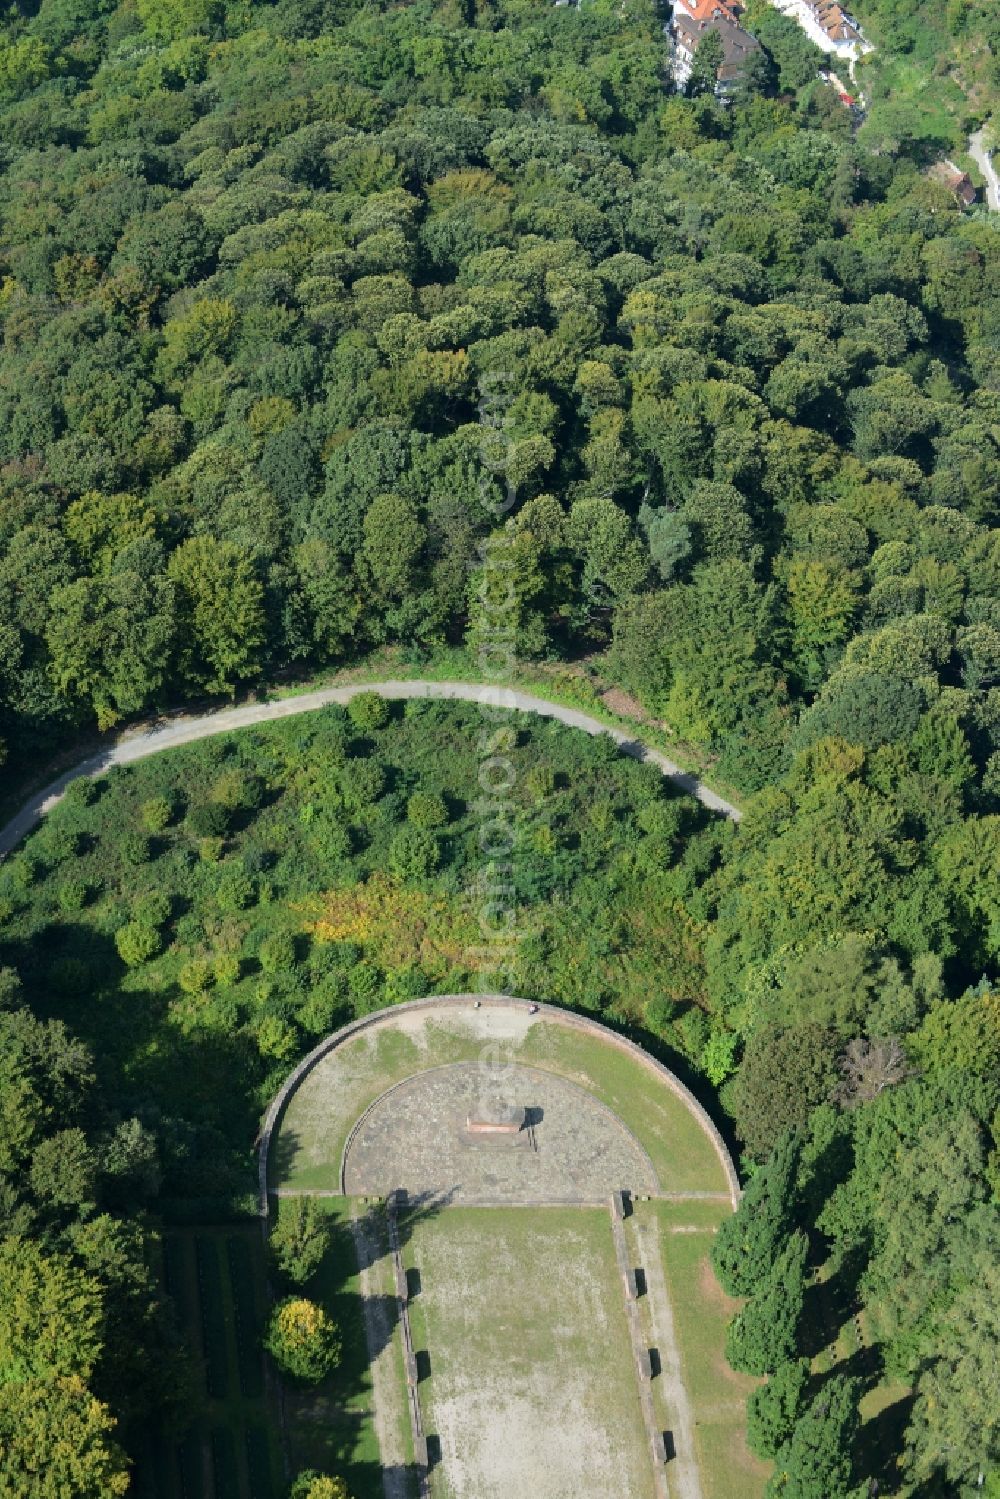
<point x="701" y="1314"/>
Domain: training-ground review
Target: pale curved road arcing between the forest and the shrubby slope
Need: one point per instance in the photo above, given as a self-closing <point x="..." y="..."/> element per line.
<point x="182" y="731"/>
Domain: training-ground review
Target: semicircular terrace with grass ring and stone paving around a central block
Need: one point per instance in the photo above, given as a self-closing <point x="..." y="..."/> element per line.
<point x="490" y="1101"/>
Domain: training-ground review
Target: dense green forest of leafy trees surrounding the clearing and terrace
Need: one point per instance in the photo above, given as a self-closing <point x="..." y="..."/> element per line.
<point x="296" y="299"/>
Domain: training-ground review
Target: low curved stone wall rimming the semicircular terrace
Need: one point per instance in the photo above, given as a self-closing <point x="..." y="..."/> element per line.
<point x="440" y="1002"/>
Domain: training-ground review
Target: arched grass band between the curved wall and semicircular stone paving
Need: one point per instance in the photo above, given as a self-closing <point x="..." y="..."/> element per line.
<point x="310" y="1144"/>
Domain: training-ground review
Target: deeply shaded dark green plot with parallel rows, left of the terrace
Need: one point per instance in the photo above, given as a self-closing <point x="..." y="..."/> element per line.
<point x="215" y="1279"/>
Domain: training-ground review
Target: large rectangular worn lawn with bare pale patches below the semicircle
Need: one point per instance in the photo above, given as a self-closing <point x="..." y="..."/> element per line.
<point x="521" y="1318"/>
